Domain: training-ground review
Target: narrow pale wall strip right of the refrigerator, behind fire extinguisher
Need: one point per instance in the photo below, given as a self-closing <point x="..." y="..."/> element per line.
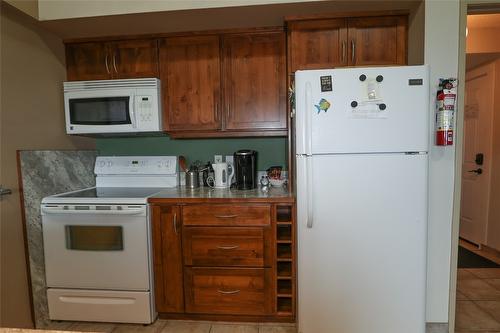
<point x="441" y="54"/>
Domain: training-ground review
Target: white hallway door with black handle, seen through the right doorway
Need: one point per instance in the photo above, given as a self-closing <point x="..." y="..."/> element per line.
<point x="479" y="95"/>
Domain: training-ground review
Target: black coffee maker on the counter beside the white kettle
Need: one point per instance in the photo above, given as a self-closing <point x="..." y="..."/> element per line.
<point x="245" y="165"/>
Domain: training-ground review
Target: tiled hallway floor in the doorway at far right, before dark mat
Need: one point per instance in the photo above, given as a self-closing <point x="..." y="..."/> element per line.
<point x="478" y="300"/>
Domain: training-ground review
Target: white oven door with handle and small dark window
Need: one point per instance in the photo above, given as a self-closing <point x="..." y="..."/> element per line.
<point x="96" y="246"/>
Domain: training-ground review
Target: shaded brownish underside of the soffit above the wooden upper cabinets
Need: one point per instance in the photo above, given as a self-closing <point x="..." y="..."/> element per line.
<point x="212" y="18"/>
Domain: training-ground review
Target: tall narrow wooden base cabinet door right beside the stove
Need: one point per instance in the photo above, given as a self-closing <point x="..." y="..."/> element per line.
<point x="167" y="259"/>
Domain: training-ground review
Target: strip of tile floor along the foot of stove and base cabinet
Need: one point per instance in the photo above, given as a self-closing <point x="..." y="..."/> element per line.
<point x="176" y="326"/>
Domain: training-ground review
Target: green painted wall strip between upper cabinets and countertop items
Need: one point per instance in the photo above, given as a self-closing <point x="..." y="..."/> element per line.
<point x="271" y="151"/>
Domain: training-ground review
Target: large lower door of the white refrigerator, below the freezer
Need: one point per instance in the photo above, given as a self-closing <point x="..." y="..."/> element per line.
<point x="362" y="265"/>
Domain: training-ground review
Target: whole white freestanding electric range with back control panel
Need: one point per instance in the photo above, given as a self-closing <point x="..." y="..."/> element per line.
<point x="97" y="242"/>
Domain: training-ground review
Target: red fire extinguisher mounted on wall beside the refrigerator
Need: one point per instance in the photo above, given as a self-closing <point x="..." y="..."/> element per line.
<point x="445" y="111"/>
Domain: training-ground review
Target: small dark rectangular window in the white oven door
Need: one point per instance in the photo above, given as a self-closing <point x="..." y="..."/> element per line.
<point x="94" y="238"/>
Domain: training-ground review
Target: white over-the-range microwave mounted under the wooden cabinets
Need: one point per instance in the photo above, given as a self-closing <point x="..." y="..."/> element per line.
<point x="113" y="106"/>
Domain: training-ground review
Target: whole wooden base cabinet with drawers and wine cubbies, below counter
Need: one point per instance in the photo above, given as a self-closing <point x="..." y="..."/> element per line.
<point x="225" y="261"/>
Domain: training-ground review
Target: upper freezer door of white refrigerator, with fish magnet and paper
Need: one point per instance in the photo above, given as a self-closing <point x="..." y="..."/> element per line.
<point x="363" y="110"/>
